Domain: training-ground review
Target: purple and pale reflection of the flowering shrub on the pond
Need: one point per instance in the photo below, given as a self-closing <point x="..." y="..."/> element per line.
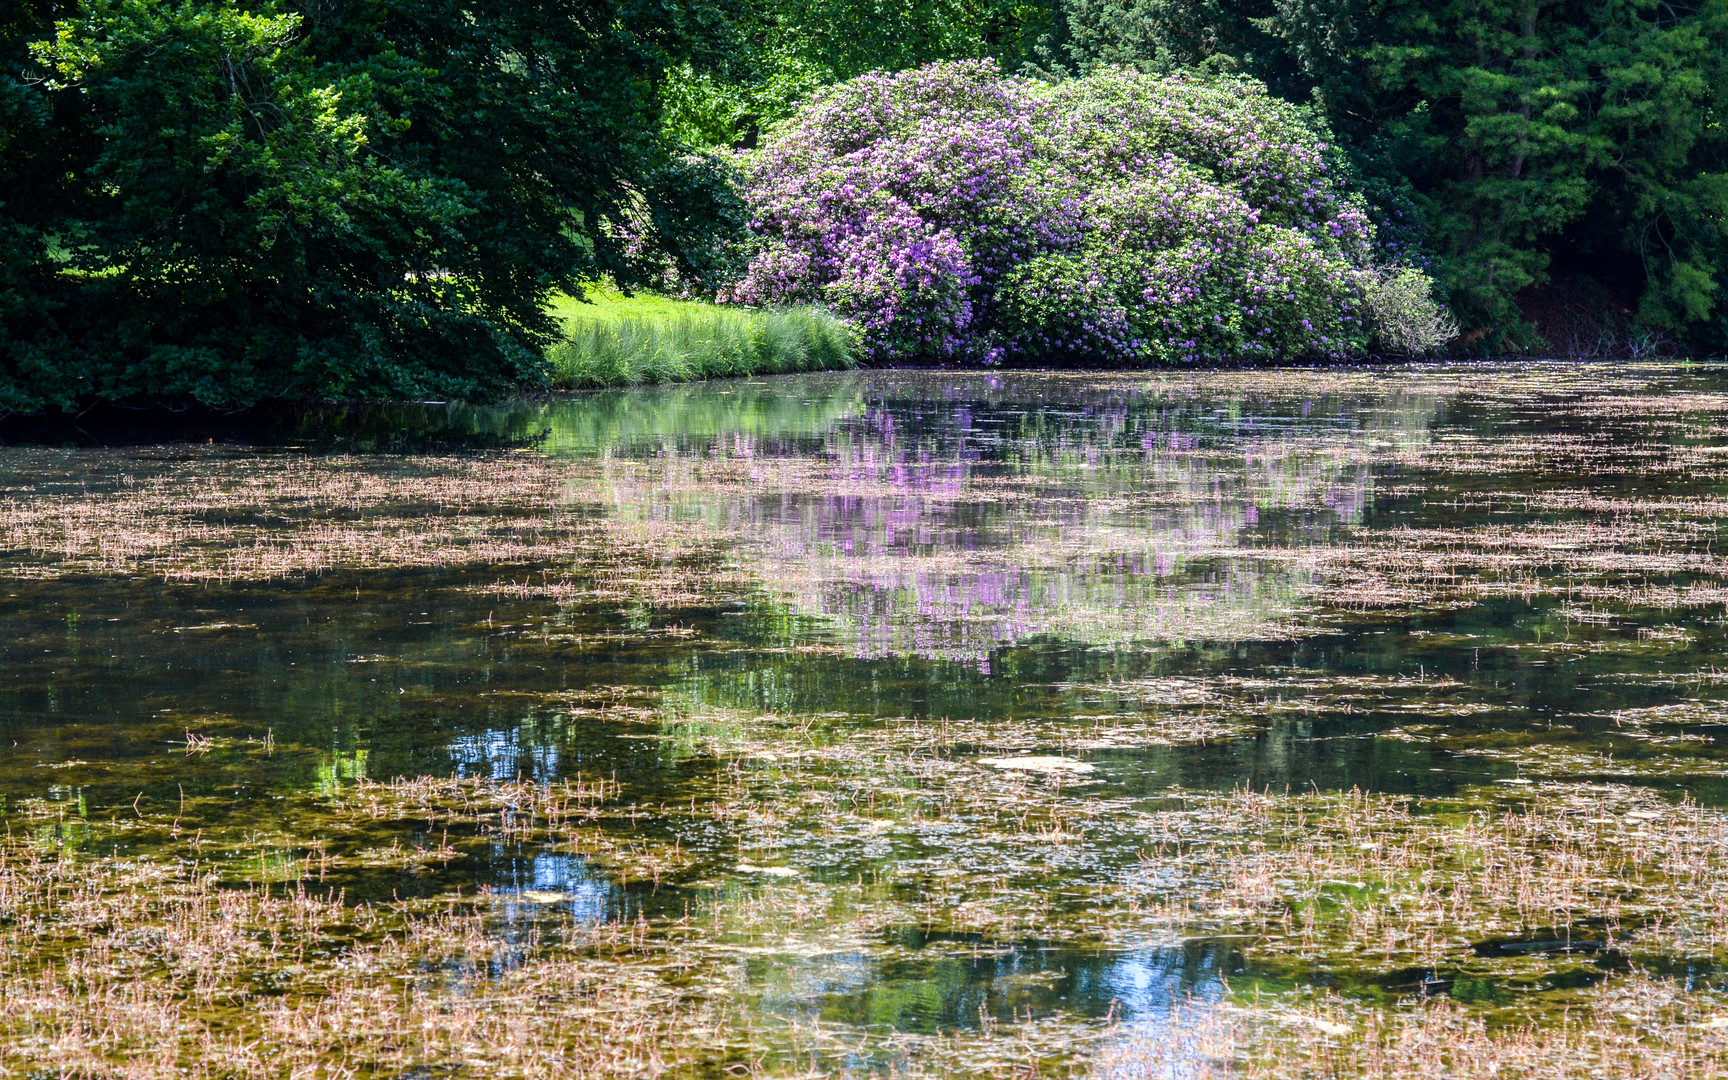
<point x="953" y="516"/>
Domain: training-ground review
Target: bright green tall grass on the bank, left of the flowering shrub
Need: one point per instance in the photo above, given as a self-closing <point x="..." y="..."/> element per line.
<point x="625" y="341"/>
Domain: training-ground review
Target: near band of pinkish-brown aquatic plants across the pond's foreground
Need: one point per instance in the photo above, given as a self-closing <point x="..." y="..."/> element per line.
<point x="193" y="956"/>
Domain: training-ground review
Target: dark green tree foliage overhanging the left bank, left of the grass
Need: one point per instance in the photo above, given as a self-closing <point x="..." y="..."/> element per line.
<point x="231" y="203"/>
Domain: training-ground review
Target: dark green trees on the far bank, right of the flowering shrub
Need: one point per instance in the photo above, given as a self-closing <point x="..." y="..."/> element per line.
<point x="1537" y="137"/>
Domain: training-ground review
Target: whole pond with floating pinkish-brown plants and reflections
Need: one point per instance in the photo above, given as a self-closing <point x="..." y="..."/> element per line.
<point x="917" y="723"/>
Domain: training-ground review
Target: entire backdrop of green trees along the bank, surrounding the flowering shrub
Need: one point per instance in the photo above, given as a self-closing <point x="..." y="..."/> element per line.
<point x="227" y="201"/>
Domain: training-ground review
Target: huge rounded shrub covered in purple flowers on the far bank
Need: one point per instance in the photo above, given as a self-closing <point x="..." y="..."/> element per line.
<point x="958" y="213"/>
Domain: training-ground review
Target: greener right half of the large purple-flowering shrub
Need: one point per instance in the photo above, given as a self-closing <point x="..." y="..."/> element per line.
<point x="1210" y="229"/>
